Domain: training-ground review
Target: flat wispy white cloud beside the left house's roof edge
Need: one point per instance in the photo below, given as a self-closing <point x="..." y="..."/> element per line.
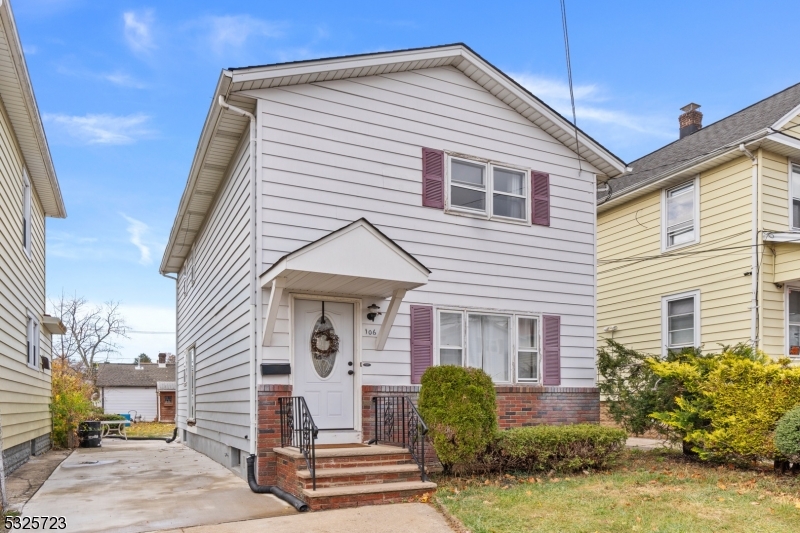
<point x="102" y="128"/>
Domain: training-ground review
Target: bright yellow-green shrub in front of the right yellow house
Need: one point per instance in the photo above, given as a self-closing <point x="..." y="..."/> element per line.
<point x="730" y="403"/>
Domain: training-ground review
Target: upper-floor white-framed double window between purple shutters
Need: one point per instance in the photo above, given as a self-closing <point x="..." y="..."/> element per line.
<point x="486" y="189"/>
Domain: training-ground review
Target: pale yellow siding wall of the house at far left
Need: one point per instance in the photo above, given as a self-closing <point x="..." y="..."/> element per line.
<point x="24" y="390"/>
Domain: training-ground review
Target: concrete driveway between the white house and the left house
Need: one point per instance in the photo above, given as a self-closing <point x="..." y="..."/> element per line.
<point x="147" y="485"/>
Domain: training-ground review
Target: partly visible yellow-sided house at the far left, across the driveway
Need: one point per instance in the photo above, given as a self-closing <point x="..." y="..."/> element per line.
<point x="29" y="192"/>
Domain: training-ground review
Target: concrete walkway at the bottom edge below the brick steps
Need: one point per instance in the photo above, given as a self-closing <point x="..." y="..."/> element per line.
<point x="396" y="518"/>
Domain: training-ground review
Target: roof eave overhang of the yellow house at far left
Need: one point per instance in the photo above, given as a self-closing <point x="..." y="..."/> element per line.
<point x="16" y="93"/>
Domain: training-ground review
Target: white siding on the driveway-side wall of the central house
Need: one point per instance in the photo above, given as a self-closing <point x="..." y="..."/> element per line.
<point x="213" y="314"/>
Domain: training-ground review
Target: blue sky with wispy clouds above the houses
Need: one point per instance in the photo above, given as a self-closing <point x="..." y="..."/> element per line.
<point x="124" y="88"/>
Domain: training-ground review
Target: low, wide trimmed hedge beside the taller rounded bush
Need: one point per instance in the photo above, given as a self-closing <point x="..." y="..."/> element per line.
<point x="561" y="448"/>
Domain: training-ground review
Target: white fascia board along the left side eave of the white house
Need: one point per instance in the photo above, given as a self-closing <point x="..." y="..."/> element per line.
<point x="207" y="133"/>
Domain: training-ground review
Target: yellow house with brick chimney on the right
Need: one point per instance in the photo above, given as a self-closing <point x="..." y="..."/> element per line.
<point x="699" y="243"/>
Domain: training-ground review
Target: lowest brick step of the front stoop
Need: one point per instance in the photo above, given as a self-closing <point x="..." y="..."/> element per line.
<point x="360" y="495"/>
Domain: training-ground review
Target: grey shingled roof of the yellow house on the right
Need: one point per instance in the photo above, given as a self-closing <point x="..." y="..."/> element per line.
<point x="758" y="120"/>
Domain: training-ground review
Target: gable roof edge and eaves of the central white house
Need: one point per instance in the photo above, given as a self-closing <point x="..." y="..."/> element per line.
<point x="223" y="129"/>
